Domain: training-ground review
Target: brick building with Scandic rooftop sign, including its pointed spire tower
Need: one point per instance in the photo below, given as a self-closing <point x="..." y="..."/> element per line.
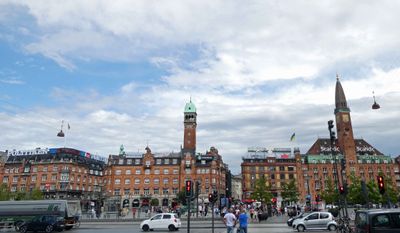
<point x="318" y="164"/>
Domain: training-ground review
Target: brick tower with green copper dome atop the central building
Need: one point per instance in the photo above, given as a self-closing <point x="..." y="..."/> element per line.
<point x="190" y="124"/>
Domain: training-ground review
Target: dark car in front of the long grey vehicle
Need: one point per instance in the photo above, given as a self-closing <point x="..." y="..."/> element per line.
<point x="46" y="223"/>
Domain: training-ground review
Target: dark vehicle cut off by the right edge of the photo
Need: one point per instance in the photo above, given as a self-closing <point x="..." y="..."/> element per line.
<point x="377" y="221"/>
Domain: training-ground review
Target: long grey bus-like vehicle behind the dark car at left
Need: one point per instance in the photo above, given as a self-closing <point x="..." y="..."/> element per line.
<point x="15" y="212"/>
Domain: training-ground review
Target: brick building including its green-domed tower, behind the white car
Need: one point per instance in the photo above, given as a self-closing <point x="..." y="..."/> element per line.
<point x="133" y="180"/>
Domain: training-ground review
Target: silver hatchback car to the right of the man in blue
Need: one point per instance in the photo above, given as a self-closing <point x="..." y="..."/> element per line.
<point x="315" y="221"/>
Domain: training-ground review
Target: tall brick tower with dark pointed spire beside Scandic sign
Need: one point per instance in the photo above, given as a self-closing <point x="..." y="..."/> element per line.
<point x="343" y="125"/>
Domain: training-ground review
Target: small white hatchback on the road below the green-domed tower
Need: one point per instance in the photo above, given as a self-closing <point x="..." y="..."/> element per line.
<point x="164" y="221"/>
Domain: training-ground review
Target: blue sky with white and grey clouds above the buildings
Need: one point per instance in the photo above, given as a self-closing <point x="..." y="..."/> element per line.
<point x="120" y="73"/>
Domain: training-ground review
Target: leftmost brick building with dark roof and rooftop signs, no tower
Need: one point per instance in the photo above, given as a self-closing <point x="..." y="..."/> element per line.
<point x="61" y="173"/>
